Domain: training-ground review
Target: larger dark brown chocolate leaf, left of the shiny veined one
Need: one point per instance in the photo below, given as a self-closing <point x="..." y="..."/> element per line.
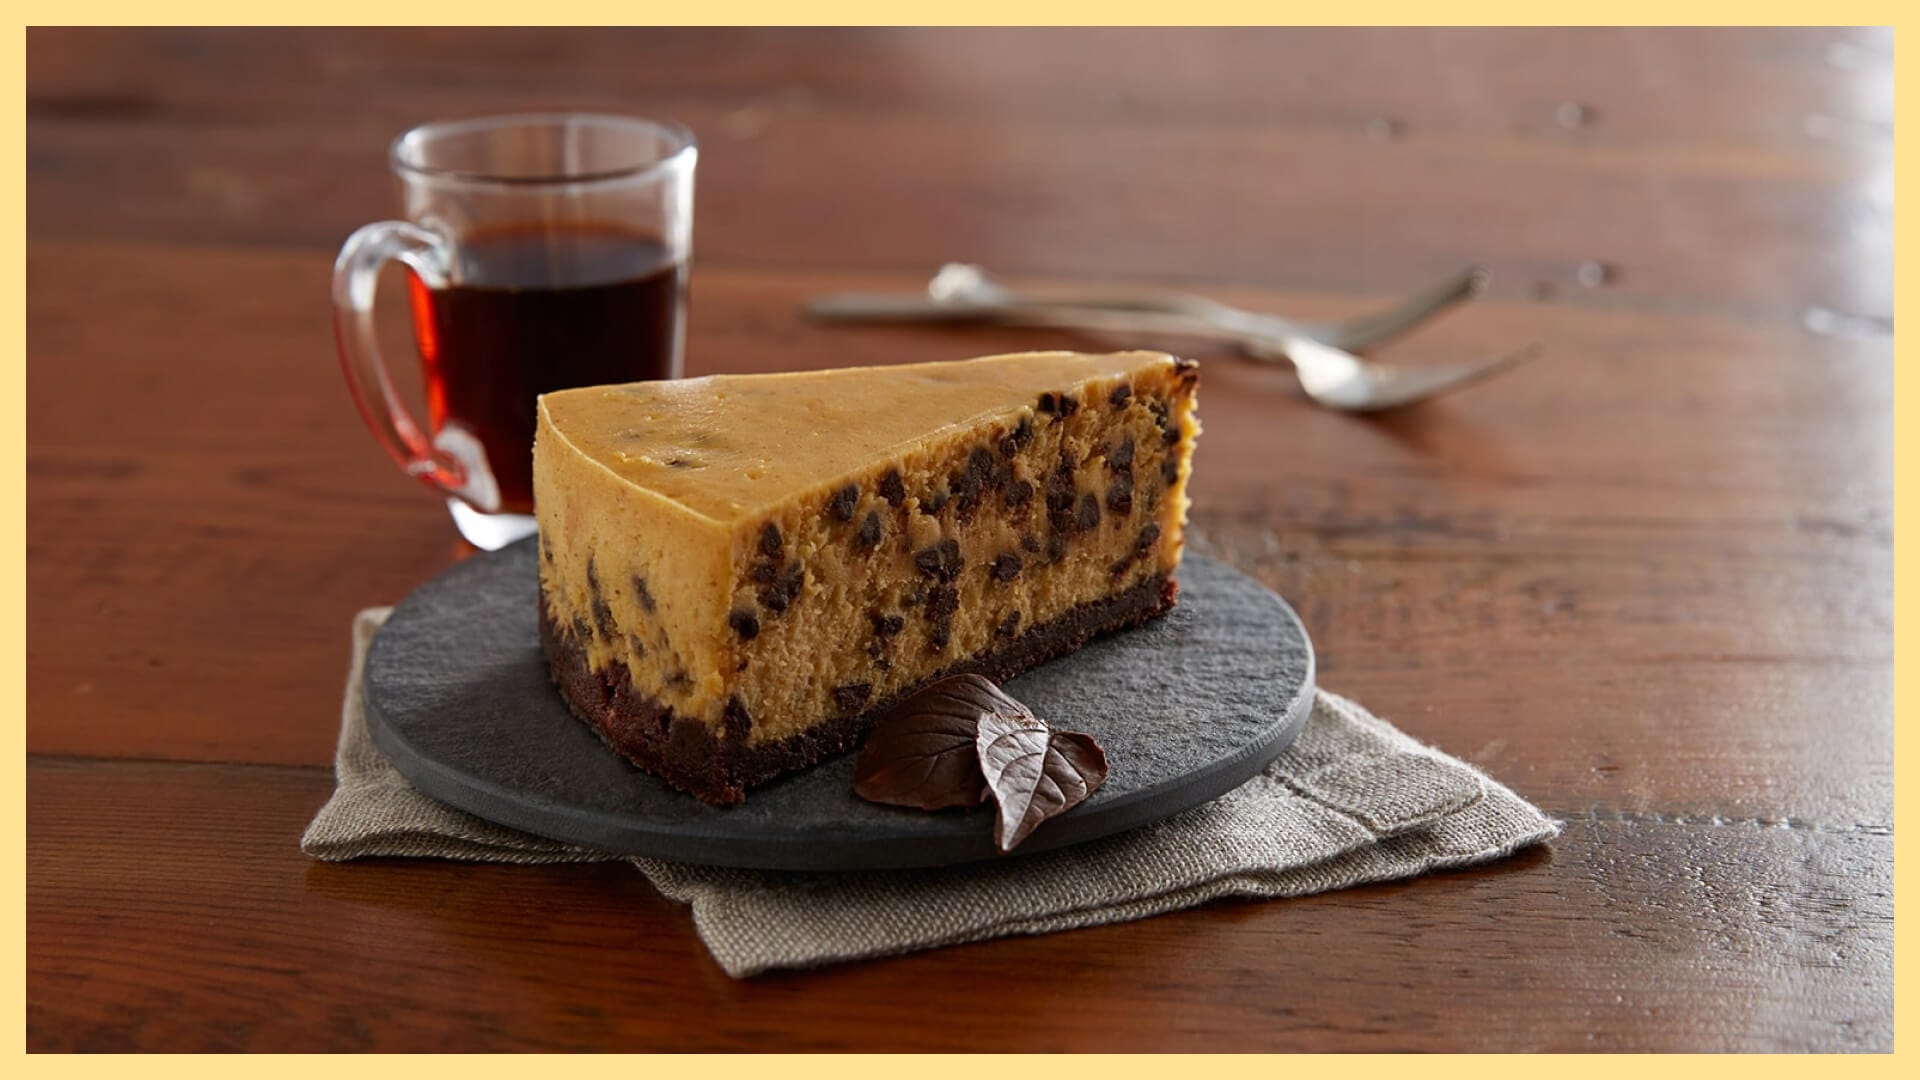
<point x="923" y="754"/>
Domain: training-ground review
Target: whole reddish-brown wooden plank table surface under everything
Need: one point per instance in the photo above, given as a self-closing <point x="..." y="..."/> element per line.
<point x="1644" y="581"/>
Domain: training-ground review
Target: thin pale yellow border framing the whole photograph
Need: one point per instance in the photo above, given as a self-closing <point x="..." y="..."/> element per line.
<point x="982" y="12"/>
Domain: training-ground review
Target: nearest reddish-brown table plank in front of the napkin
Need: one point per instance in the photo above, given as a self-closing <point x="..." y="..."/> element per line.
<point x="168" y="908"/>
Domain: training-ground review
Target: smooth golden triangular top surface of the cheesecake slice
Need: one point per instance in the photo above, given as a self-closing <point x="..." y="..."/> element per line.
<point x="731" y="445"/>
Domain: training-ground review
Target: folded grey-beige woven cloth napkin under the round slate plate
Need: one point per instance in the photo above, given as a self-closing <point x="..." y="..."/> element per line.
<point x="1355" y="800"/>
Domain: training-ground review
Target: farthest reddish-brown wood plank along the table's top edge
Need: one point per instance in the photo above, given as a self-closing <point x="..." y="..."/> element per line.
<point x="1138" y="76"/>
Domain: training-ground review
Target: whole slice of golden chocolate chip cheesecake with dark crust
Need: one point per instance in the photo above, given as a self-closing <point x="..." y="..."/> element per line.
<point x="742" y="572"/>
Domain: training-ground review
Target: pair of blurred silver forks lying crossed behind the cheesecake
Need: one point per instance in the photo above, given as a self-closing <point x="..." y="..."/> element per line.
<point x="1330" y="376"/>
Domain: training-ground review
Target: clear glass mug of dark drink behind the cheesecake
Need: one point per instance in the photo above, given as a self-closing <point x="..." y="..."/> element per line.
<point x="542" y="253"/>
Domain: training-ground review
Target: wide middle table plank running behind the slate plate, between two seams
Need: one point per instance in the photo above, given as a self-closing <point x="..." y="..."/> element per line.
<point x="1456" y="566"/>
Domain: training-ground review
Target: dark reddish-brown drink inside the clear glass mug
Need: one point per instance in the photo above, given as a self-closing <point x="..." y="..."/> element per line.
<point x="510" y="331"/>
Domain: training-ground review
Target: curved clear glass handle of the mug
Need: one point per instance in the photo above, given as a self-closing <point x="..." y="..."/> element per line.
<point x="454" y="466"/>
